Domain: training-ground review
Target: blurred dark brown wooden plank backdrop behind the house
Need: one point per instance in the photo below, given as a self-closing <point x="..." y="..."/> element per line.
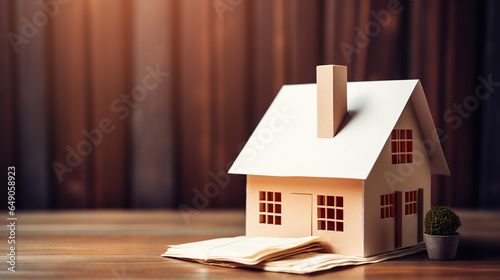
<point x="142" y="104"/>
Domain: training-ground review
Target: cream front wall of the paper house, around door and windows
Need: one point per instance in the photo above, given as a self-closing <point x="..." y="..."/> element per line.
<point x="348" y="242"/>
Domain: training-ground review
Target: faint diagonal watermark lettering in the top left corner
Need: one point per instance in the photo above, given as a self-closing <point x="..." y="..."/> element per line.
<point x="29" y="29"/>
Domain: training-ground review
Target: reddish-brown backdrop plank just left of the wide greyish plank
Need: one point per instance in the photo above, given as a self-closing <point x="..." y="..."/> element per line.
<point x="110" y="76"/>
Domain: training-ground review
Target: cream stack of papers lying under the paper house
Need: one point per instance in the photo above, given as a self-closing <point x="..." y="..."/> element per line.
<point x="291" y="255"/>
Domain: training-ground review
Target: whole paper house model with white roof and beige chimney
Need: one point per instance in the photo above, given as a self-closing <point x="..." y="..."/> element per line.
<point x="350" y="162"/>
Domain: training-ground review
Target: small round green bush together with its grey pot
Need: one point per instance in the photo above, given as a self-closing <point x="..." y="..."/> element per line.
<point x="441" y="236"/>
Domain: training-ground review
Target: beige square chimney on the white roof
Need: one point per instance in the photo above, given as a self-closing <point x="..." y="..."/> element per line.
<point x="331" y="83"/>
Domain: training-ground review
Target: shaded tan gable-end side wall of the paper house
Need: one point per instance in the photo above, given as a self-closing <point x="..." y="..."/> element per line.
<point x="387" y="178"/>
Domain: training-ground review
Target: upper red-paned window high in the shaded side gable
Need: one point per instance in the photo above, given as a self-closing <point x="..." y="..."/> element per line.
<point x="402" y="146"/>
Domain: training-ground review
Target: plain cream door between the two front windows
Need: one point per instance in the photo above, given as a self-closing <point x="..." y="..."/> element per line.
<point x="301" y="214"/>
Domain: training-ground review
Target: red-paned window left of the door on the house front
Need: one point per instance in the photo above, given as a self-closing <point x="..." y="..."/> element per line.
<point x="270" y="208"/>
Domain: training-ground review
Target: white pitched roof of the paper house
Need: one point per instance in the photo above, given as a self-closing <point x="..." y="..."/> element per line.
<point x="285" y="141"/>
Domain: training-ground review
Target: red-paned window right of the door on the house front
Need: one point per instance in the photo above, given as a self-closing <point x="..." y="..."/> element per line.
<point x="330" y="213"/>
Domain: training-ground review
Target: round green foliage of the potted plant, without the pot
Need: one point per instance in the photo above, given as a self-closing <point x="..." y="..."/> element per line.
<point x="441" y="220"/>
